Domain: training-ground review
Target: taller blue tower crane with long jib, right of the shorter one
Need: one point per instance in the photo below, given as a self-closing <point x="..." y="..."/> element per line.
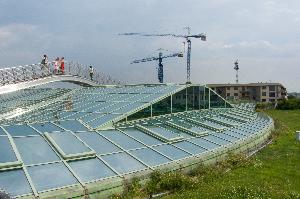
<point x="189" y="48"/>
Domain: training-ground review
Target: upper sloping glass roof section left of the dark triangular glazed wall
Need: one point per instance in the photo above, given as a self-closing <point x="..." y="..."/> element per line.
<point x="95" y="106"/>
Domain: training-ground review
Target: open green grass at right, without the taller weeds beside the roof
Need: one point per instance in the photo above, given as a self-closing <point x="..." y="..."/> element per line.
<point x="272" y="173"/>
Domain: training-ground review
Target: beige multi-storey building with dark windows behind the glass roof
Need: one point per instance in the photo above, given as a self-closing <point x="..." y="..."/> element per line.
<point x="260" y="92"/>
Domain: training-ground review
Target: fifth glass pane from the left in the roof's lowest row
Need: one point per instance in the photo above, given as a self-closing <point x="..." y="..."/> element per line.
<point x="149" y="157"/>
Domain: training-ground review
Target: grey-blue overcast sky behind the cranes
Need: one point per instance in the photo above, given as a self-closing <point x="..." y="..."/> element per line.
<point x="264" y="35"/>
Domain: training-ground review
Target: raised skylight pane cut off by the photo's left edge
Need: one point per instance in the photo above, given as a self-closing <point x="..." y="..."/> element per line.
<point x="6" y="151"/>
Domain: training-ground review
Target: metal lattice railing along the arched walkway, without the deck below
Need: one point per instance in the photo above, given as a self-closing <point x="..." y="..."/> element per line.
<point x="32" y="72"/>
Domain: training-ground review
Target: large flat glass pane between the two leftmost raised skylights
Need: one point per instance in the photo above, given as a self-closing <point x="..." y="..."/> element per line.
<point x="35" y="150"/>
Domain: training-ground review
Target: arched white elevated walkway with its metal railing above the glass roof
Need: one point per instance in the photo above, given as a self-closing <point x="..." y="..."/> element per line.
<point x="22" y="77"/>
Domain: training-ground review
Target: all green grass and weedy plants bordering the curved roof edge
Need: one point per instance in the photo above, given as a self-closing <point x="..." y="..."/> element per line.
<point x="273" y="172"/>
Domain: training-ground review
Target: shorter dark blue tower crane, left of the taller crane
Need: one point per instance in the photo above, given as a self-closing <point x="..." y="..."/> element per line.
<point x="160" y="69"/>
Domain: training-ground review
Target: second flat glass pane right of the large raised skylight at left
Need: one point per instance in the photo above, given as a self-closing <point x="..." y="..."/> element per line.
<point x="121" y="139"/>
